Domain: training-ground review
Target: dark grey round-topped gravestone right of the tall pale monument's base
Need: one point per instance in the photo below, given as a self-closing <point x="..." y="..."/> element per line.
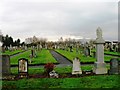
<point x="114" y="66"/>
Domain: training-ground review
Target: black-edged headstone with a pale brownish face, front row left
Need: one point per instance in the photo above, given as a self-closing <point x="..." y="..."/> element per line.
<point x="23" y="67"/>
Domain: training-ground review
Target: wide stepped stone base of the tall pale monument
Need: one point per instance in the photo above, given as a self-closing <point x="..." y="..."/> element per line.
<point x="100" y="68"/>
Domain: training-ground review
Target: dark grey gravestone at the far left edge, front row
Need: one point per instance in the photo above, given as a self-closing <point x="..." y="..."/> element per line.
<point x="5" y="59"/>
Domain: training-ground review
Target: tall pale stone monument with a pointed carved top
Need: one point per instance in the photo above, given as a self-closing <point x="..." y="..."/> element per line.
<point x="99" y="66"/>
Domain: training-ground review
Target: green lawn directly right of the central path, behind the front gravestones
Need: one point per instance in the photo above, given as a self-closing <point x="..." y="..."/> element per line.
<point x="72" y="55"/>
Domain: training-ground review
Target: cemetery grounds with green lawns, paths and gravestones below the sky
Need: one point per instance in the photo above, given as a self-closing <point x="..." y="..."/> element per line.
<point x="61" y="65"/>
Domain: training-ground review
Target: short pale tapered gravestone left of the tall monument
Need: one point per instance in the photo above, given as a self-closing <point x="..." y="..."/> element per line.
<point x="76" y="67"/>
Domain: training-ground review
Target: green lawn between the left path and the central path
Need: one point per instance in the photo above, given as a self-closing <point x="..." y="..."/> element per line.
<point x="43" y="57"/>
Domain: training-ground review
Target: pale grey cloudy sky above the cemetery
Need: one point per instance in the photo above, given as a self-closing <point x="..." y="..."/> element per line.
<point x="53" y="19"/>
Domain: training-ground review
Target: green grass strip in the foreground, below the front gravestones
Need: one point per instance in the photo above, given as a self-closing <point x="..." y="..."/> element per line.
<point x="99" y="81"/>
